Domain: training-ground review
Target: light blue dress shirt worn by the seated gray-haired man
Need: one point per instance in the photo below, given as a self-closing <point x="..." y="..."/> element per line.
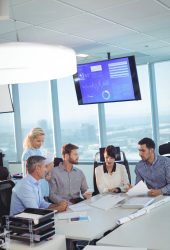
<point x="27" y="194"/>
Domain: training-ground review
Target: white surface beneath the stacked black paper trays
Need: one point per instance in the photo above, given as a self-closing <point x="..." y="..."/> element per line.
<point x="58" y="242"/>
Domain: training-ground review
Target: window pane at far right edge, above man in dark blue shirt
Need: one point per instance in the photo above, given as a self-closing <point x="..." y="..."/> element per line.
<point x="163" y="98"/>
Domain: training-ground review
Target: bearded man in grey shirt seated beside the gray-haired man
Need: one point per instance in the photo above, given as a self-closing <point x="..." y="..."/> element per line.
<point x="68" y="182"/>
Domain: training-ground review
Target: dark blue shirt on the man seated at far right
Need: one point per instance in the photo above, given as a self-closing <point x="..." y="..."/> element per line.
<point x="157" y="175"/>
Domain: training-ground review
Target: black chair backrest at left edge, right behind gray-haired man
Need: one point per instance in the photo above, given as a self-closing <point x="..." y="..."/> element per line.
<point x="5" y="196"/>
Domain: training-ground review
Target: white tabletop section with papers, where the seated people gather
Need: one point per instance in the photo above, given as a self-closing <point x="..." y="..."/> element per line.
<point x="100" y="222"/>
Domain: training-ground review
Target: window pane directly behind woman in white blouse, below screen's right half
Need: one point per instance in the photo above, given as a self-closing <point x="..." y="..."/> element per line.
<point x="128" y="122"/>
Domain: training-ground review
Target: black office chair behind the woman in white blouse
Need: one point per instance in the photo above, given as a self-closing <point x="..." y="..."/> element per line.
<point x="99" y="160"/>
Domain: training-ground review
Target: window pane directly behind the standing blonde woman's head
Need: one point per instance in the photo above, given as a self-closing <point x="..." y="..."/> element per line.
<point x="35" y="107"/>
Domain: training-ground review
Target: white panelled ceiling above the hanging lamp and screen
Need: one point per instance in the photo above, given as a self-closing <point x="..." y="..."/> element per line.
<point x="94" y="27"/>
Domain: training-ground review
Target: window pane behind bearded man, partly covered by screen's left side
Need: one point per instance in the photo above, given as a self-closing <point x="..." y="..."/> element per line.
<point x="79" y="123"/>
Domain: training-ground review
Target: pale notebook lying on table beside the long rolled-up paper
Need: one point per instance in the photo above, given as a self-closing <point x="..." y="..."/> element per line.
<point x="138" y="202"/>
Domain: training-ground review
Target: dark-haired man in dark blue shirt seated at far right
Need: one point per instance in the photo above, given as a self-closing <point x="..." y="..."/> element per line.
<point x="153" y="169"/>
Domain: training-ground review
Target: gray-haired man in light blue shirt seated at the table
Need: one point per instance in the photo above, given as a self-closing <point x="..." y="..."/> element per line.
<point x="27" y="192"/>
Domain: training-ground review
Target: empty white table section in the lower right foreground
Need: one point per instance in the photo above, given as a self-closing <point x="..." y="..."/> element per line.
<point x="150" y="231"/>
